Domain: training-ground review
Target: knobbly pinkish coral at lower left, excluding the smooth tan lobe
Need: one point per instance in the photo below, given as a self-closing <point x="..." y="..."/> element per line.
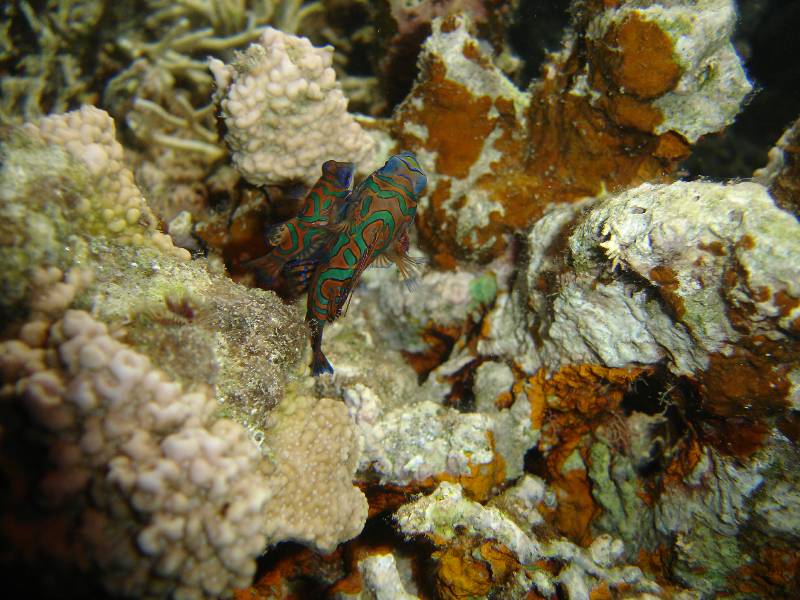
<point x="150" y="472"/>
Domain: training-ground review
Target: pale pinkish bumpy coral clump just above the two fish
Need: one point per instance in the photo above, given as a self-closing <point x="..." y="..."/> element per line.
<point x="284" y="111"/>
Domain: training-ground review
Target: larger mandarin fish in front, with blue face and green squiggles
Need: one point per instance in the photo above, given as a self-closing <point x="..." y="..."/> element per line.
<point x="372" y="227"/>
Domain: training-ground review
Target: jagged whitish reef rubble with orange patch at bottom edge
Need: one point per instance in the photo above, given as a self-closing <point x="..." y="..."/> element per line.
<point x="481" y="547"/>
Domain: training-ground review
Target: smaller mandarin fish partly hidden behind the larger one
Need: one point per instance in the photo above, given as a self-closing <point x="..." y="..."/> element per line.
<point x="298" y="241"/>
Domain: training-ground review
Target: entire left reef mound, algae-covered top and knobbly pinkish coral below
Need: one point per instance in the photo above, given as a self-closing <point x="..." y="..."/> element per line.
<point x="168" y="495"/>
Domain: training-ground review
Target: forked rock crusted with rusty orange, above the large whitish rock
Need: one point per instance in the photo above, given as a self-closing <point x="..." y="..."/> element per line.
<point x="631" y="89"/>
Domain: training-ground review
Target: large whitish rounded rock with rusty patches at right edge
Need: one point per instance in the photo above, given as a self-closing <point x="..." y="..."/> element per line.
<point x="656" y="273"/>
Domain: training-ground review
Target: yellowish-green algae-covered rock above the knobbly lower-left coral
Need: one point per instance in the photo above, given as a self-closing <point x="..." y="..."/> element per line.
<point x="67" y="201"/>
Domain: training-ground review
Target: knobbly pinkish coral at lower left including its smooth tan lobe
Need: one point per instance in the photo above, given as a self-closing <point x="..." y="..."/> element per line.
<point x="172" y="500"/>
